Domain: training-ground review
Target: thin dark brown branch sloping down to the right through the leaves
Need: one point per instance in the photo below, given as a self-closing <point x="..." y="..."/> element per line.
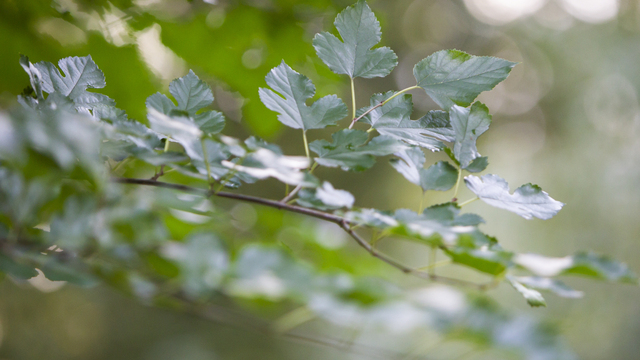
<point x="339" y="220"/>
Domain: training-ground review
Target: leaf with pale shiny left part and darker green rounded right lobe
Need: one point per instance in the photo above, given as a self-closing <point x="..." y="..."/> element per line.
<point x="441" y="176"/>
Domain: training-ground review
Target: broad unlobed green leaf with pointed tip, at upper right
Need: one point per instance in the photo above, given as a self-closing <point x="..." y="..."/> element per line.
<point x="452" y="77"/>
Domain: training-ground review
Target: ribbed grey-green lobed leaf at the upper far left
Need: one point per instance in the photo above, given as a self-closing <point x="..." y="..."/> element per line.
<point x="80" y="74"/>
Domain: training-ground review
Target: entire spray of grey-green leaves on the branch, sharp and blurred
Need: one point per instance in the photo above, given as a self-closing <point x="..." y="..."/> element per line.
<point x="65" y="211"/>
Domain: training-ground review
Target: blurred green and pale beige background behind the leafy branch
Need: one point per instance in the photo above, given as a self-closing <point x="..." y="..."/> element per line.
<point x="568" y="119"/>
